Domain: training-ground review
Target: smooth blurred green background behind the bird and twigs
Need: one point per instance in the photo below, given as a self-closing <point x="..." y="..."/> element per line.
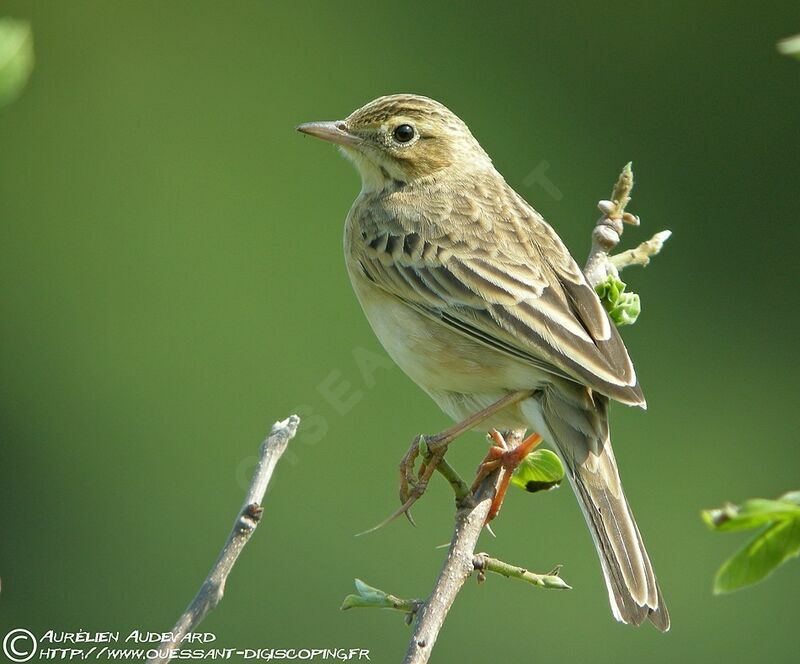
<point x="172" y="283"/>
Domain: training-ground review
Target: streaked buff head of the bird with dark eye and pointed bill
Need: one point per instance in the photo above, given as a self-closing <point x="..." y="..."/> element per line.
<point x="400" y="139"/>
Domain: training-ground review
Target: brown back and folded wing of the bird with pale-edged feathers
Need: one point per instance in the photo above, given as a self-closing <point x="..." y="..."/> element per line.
<point x="485" y="263"/>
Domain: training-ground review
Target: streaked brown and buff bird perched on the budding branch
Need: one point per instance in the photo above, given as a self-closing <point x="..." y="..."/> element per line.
<point x="474" y="295"/>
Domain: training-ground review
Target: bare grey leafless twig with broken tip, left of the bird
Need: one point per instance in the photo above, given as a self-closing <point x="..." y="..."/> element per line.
<point x="249" y="515"/>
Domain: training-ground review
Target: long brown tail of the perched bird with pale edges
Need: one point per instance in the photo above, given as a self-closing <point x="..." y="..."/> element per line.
<point x="578" y="427"/>
